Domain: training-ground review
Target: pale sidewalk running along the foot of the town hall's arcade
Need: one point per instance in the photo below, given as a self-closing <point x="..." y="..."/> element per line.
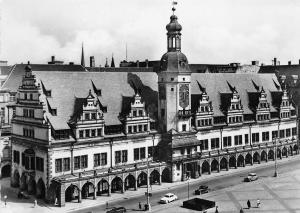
<point x="13" y="203"/>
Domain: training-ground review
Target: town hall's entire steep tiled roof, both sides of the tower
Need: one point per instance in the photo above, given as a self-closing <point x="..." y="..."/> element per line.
<point x="116" y="89"/>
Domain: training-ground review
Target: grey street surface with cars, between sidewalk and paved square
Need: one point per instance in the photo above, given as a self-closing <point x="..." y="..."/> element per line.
<point x="181" y="191"/>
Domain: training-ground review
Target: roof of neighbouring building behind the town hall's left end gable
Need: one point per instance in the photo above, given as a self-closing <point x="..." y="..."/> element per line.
<point x="17" y="72"/>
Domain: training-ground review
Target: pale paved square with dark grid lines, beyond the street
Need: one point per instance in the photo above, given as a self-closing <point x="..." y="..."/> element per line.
<point x="280" y="194"/>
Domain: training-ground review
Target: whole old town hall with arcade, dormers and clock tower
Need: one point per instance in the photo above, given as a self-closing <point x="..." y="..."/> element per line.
<point x="85" y="134"/>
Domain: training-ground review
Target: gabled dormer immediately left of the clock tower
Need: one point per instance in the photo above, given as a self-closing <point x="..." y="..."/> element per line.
<point x="137" y="120"/>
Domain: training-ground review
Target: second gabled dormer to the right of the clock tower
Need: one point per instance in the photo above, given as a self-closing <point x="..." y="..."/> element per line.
<point x="235" y="108"/>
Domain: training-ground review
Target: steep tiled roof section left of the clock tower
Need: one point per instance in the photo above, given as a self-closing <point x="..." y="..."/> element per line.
<point x="67" y="88"/>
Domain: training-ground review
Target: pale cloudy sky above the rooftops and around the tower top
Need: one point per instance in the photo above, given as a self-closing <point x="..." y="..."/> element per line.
<point x="214" y="31"/>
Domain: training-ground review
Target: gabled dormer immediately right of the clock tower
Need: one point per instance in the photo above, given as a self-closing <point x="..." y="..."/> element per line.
<point x="204" y="113"/>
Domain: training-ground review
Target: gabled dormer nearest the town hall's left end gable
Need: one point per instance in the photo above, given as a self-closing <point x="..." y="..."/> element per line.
<point x="88" y="121"/>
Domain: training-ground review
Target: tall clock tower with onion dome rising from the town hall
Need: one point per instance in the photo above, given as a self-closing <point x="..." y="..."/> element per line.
<point x="174" y="79"/>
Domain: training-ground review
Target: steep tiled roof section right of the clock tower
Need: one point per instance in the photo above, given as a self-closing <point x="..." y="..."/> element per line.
<point x="217" y="85"/>
